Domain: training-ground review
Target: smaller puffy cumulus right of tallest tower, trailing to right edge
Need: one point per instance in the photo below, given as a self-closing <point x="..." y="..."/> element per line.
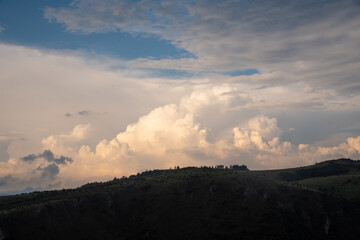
<point x="270" y="152"/>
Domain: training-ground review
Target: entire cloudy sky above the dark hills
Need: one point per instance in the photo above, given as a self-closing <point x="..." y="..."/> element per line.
<point x="96" y="89"/>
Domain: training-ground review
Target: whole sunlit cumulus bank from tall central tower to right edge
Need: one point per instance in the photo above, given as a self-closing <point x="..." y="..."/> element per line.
<point x="177" y="134"/>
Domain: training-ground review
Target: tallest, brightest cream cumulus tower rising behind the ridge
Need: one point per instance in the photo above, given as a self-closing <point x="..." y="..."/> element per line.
<point x="161" y="138"/>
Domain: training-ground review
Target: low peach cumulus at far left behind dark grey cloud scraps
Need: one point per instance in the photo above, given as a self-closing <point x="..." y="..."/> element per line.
<point x="43" y="170"/>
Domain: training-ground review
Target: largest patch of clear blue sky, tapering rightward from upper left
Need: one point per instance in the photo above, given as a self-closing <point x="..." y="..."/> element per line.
<point x="28" y="27"/>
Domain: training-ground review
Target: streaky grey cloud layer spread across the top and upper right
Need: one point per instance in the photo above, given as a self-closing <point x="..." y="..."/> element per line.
<point x="298" y="41"/>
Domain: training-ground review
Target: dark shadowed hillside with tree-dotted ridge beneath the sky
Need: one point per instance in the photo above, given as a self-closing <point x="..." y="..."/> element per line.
<point x="321" y="201"/>
